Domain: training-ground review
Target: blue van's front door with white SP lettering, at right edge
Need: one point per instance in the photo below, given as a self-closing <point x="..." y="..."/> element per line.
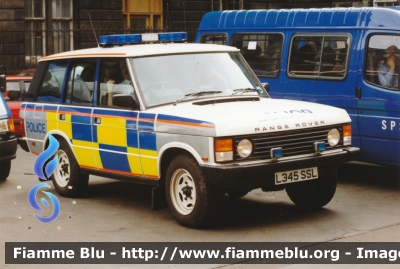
<point x="379" y="98"/>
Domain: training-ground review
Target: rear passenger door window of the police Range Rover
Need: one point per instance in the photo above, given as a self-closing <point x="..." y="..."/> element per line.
<point x="81" y="82"/>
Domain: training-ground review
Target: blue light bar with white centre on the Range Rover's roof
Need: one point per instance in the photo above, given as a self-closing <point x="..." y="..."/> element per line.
<point x="112" y="40"/>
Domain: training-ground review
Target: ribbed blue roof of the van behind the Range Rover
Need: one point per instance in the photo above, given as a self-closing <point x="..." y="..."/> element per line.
<point x="365" y="17"/>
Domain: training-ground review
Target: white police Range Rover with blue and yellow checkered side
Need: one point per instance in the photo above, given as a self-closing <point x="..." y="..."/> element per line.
<point x="190" y="119"/>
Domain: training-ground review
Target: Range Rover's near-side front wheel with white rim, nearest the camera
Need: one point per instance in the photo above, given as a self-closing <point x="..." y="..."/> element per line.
<point x="193" y="201"/>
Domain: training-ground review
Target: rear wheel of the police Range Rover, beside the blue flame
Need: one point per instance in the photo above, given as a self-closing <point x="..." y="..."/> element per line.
<point x="67" y="178"/>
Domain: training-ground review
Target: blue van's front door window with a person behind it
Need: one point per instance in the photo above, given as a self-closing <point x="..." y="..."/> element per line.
<point x="382" y="65"/>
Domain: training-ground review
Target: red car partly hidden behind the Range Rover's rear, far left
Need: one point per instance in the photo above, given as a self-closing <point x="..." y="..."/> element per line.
<point x="17" y="86"/>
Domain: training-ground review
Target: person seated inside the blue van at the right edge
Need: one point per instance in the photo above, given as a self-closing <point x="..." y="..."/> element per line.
<point x="388" y="73"/>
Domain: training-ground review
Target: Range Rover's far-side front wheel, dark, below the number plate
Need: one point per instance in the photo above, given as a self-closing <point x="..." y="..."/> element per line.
<point x="315" y="193"/>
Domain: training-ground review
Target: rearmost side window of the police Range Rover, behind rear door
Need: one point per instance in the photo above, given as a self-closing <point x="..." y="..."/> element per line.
<point x="52" y="81"/>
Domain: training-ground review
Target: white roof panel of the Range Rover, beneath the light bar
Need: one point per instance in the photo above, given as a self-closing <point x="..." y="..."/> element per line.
<point x="140" y="50"/>
